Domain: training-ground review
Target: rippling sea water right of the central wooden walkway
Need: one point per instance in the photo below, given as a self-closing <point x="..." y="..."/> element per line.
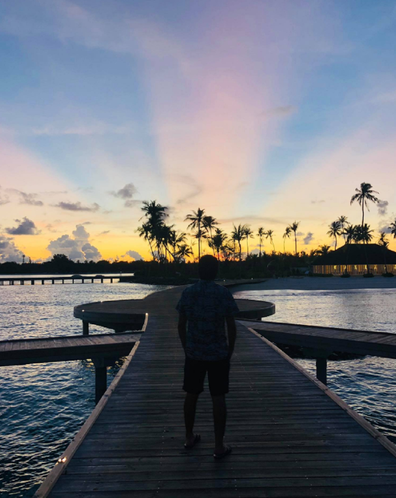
<point x="367" y="384"/>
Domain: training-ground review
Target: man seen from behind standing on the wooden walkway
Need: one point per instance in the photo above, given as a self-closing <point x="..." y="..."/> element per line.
<point x="204" y="310"/>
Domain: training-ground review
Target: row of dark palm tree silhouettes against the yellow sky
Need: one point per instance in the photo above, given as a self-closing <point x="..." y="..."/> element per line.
<point x="168" y="244"/>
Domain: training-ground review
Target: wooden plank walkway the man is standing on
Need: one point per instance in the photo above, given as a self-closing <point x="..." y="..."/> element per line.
<point x="291" y="436"/>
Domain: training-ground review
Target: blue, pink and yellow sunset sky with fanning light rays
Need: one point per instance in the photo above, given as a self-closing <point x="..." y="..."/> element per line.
<point x="260" y="112"/>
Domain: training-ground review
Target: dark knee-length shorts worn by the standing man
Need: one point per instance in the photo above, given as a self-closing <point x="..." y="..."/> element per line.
<point x="218" y="375"/>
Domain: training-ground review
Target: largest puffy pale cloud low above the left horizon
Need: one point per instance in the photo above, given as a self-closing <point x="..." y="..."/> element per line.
<point x="76" y="246"/>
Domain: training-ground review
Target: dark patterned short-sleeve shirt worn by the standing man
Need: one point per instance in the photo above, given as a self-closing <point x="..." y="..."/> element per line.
<point x="206" y="305"/>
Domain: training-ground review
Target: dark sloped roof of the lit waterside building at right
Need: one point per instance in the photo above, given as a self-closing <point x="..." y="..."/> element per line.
<point x="358" y="254"/>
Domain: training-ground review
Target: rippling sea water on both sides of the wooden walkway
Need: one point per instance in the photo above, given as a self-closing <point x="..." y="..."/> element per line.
<point x="43" y="406"/>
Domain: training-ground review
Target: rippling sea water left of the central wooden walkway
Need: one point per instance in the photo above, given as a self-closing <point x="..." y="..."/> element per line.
<point x="42" y="406"/>
